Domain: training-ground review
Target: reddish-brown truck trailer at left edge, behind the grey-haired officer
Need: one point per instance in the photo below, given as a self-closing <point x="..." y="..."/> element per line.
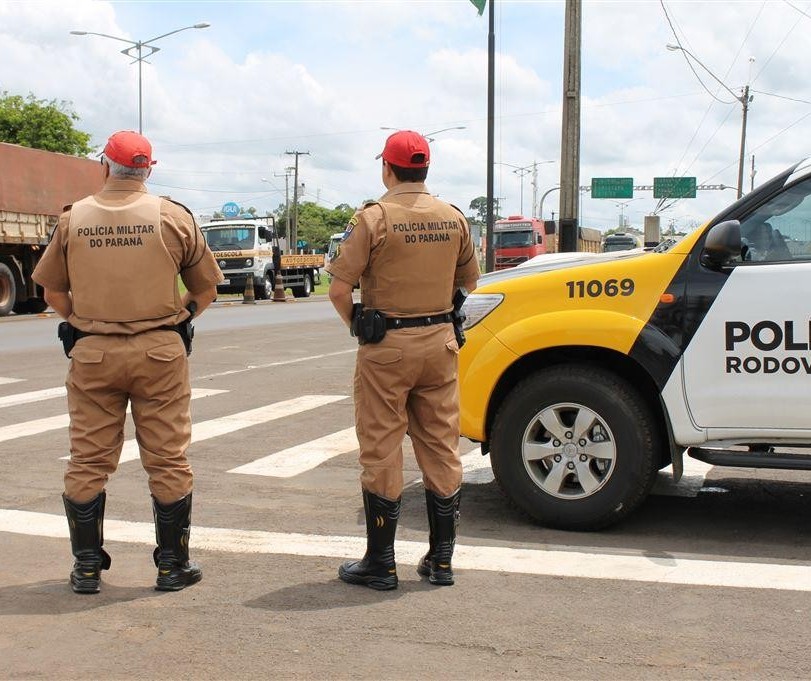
<point x="35" y="186"/>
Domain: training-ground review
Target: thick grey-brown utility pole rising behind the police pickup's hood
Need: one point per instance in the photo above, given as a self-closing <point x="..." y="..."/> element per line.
<point x="570" y="135"/>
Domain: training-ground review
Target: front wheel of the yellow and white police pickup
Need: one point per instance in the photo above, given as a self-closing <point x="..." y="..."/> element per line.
<point x="575" y="447"/>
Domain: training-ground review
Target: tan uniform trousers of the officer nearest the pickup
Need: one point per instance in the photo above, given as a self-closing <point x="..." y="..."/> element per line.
<point x="409" y="382"/>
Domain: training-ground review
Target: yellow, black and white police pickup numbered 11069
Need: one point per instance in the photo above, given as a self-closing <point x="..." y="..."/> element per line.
<point x="585" y="375"/>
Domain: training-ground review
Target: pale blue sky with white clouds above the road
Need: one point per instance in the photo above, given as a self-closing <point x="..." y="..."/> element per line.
<point x="223" y="105"/>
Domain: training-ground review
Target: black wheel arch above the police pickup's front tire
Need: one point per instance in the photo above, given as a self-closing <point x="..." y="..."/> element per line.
<point x="616" y="362"/>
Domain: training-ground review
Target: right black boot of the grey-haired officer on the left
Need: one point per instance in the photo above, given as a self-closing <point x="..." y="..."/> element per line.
<point x="172" y="529"/>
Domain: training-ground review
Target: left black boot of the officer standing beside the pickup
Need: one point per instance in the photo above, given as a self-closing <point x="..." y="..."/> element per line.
<point x="376" y="569"/>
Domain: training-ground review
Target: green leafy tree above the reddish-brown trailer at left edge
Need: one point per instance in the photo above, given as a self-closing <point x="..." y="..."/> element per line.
<point x="41" y="124"/>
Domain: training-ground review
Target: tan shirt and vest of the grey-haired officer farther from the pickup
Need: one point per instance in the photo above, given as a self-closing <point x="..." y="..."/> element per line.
<point x="127" y="248"/>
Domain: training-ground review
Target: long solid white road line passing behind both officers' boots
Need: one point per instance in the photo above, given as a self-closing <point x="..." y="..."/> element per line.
<point x="558" y="561"/>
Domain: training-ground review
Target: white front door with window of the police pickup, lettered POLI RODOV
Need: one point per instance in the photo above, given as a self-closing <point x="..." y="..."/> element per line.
<point x="748" y="365"/>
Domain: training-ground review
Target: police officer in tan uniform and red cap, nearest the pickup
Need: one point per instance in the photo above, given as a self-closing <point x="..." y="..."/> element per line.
<point x="410" y="252"/>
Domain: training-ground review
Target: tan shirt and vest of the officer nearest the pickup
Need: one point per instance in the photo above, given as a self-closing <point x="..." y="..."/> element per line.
<point x="409" y="251"/>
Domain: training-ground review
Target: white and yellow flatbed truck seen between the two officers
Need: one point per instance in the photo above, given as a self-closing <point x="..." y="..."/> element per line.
<point x="244" y="248"/>
